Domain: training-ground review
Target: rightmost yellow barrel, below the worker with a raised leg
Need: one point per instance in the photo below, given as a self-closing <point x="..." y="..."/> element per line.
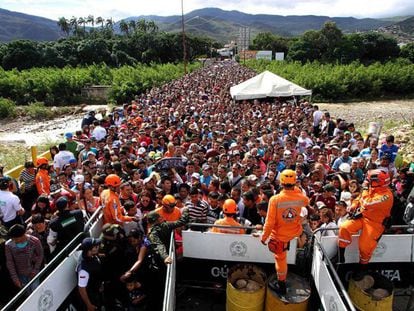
<point x="373" y="292"/>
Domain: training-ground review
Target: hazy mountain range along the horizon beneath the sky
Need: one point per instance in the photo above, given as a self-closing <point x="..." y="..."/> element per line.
<point x="219" y="24"/>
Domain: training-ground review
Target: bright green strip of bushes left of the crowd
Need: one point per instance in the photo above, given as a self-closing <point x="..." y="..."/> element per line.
<point x="54" y="86"/>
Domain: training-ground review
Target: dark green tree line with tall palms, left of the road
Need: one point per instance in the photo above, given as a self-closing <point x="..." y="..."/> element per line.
<point x="90" y="40"/>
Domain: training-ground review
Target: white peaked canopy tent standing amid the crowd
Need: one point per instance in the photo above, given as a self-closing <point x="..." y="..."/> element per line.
<point x="266" y="84"/>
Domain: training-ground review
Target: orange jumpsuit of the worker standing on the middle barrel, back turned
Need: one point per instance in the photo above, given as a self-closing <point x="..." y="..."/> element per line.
<point x="283" y="224"/>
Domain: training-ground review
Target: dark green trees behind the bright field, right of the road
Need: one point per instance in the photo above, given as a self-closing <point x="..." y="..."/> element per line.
<point x="330" y="45"/>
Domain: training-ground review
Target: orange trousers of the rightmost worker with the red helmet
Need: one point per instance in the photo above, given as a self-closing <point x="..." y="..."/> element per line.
<point x="370" y="233"/>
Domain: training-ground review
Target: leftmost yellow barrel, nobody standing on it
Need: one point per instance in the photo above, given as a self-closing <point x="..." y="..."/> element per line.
<point x="245" y="288"/>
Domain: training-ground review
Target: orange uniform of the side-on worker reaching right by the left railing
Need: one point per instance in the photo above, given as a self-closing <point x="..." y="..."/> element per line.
<point x="113" y="212"/>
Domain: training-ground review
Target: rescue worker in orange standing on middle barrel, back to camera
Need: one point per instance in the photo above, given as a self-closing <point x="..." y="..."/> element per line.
<point x="283" y="223"/>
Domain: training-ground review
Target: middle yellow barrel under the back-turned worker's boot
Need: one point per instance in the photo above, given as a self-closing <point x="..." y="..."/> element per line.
<point x="296" y="298"/>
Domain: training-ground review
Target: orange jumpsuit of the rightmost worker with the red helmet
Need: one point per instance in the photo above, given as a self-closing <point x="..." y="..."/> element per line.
<point x="376" y="204"/>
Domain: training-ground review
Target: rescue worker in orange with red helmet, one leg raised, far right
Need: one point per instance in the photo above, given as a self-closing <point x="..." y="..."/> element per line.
<point x="370" y="217"/>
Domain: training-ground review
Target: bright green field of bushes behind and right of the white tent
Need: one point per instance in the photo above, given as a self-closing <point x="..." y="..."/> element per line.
<point x="346" y="82"/>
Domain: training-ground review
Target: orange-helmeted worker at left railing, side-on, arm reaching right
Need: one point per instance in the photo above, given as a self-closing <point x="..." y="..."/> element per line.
<point x="113" y="211"/>
